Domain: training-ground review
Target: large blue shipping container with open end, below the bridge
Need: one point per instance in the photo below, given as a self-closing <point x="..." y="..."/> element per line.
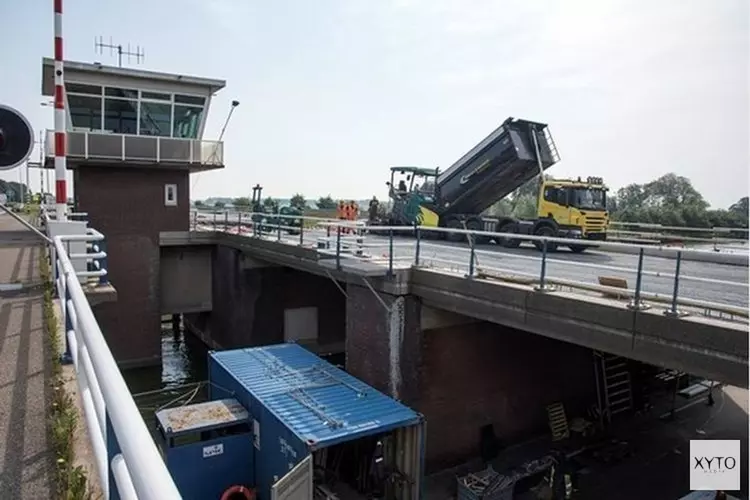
<point x="300" y="405"/>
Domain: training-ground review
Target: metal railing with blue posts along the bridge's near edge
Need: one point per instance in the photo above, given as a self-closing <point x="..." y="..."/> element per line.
<point x="345" y="239"/>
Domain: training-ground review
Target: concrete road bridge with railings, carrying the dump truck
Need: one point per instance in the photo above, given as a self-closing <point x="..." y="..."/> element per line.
<point x="681" y="312"/>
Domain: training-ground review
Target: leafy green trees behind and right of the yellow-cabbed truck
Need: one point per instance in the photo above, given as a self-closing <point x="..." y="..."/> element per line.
<point x="670" y="200"/>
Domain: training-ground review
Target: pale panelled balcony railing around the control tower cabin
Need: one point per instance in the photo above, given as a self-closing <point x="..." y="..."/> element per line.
<point x="129" y="147"/>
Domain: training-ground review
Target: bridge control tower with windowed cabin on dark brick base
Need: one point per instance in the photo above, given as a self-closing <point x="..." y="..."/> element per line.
<point x="133" y="139"/>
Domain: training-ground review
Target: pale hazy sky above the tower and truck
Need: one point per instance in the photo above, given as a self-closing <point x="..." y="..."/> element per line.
<point x="334" y="92"/>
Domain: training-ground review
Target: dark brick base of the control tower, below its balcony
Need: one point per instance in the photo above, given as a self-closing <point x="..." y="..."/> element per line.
<point x="127" y="205"/>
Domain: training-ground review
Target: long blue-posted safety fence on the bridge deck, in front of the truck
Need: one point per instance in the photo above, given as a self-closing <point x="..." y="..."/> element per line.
<point x="388" y="247"/>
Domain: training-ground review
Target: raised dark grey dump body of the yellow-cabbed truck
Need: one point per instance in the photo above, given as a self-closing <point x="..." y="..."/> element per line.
<point x="502" y="162"/>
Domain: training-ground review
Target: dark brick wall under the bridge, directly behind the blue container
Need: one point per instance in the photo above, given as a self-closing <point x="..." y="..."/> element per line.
<point x="248" y="304"/>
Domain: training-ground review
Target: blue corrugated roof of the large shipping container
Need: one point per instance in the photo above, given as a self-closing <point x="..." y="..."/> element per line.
<point x="320" y="403"/>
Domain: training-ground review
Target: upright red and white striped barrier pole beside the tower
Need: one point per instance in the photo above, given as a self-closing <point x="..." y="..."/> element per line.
<point x="61" y="191"/>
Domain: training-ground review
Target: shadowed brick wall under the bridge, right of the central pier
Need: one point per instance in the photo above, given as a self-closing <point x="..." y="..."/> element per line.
<point x="480" y="374"/>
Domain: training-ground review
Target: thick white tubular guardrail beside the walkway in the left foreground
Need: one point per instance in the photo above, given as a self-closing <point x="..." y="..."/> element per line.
<point x="124" y="450"/>
